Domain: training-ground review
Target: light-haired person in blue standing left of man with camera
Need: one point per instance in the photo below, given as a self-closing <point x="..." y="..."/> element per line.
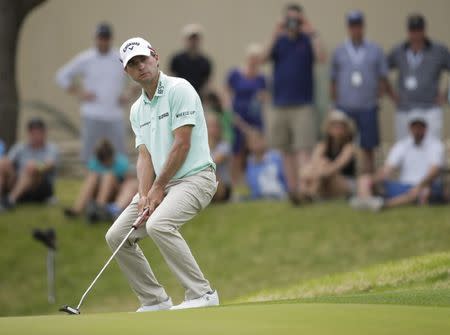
<point x="247" y="87"/>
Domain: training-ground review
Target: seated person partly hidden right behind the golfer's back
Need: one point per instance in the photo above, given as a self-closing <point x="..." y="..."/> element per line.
<point x="221" y="154"/>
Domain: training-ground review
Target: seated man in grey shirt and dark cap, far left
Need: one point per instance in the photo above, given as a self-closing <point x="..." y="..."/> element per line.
<point x="27" y="173"/>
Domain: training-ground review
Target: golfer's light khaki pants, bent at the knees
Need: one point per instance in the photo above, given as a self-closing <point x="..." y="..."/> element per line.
<point x="184" y="199"/>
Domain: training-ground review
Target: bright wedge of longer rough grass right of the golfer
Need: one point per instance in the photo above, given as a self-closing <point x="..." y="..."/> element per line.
<point x="417" y="280"/>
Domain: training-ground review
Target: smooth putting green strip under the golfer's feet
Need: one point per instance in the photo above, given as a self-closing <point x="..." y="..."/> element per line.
<point x="280" y="318"/>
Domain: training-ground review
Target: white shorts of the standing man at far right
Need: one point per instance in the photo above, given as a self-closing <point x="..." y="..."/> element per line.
<point x="434" y="117"/>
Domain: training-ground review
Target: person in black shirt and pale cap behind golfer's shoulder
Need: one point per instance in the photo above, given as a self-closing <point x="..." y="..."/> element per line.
<point x="190" y="63"/>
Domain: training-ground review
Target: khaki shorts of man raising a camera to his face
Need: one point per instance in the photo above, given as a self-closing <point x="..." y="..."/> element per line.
<point x="291" y="128"/>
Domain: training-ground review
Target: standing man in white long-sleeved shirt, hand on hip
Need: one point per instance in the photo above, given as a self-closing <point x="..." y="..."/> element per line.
<point x="101" y="94"/>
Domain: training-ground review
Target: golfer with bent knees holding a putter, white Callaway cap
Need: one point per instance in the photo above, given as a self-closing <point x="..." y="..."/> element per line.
<point x="176" y="181"/>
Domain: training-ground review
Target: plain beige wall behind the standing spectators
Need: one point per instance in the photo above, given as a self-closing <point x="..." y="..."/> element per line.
<point x="59" y="29"/>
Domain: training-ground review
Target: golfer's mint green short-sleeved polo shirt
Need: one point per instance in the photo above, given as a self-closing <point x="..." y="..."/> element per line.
<point x="175" y="104"/>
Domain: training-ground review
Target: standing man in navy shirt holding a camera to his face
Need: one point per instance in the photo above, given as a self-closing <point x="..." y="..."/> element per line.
<point x="291" y="125"/>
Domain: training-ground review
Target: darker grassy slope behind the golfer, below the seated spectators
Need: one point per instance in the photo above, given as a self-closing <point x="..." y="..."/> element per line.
<point x="243" y="248"/>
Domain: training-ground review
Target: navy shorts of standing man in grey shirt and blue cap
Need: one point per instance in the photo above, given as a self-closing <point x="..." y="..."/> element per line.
<point x="367" y="123"/>
